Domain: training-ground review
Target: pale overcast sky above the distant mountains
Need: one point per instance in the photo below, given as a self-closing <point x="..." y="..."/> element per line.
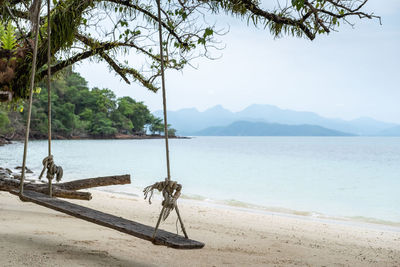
<point x="348" y="74"/>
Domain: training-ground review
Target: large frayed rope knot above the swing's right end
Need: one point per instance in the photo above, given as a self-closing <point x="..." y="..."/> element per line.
<point x="170" y="190"/>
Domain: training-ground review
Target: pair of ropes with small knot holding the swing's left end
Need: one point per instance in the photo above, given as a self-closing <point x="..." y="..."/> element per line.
<point x="48" y="162"/>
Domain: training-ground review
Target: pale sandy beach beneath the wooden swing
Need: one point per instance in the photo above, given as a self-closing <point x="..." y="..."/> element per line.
<point x="34" y="236"/>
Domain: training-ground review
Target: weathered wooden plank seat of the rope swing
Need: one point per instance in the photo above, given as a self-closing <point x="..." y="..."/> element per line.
<point x="117" y="223"/>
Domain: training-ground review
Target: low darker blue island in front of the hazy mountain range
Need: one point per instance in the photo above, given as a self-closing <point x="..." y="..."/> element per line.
<point x="246" y="128"/>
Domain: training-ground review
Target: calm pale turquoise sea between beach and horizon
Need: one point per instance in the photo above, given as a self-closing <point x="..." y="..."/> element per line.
<point x="341" y="177"/>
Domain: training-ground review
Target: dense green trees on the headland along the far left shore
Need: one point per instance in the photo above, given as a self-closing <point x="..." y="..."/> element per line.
<point x="78" y="111"/>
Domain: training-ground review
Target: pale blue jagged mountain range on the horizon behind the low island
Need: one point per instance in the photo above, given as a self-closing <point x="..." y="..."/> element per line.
<point x="191" y="121"/>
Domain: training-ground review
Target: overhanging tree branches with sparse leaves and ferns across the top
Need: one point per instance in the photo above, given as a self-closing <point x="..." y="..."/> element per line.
<point x="104" y="30"/>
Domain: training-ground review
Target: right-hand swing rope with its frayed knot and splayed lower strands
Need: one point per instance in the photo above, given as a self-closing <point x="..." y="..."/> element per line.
<point x="171" y="190"/>
